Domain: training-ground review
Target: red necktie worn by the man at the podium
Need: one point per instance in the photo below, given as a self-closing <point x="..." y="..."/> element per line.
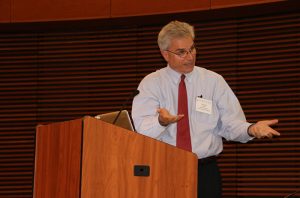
<point x="183" y="127"/>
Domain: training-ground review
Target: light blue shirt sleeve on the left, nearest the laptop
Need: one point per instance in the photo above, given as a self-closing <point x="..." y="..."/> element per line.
<point x="144" y="109"/>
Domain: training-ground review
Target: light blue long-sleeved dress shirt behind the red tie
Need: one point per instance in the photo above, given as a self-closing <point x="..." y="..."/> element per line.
<point x="160" y="90"/>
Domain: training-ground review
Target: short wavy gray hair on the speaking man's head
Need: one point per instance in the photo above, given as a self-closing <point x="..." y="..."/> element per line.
<point x="174" y="29"/>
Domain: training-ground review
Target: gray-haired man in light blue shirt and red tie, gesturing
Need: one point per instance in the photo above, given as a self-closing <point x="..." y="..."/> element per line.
<point x="212" y="110"/>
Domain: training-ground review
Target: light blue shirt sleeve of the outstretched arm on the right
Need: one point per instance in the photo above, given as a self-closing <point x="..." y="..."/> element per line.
<point x="232" y="123"/>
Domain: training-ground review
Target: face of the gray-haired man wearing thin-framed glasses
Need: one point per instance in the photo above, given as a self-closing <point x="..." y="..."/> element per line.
<point x="173" y="55"/>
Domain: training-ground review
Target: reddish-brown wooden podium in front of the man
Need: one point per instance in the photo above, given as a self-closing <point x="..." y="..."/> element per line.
<point x="89" y="158"/>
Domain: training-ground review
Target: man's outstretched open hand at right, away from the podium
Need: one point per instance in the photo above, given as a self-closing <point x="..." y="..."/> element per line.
<point x="262" y="129"/>
